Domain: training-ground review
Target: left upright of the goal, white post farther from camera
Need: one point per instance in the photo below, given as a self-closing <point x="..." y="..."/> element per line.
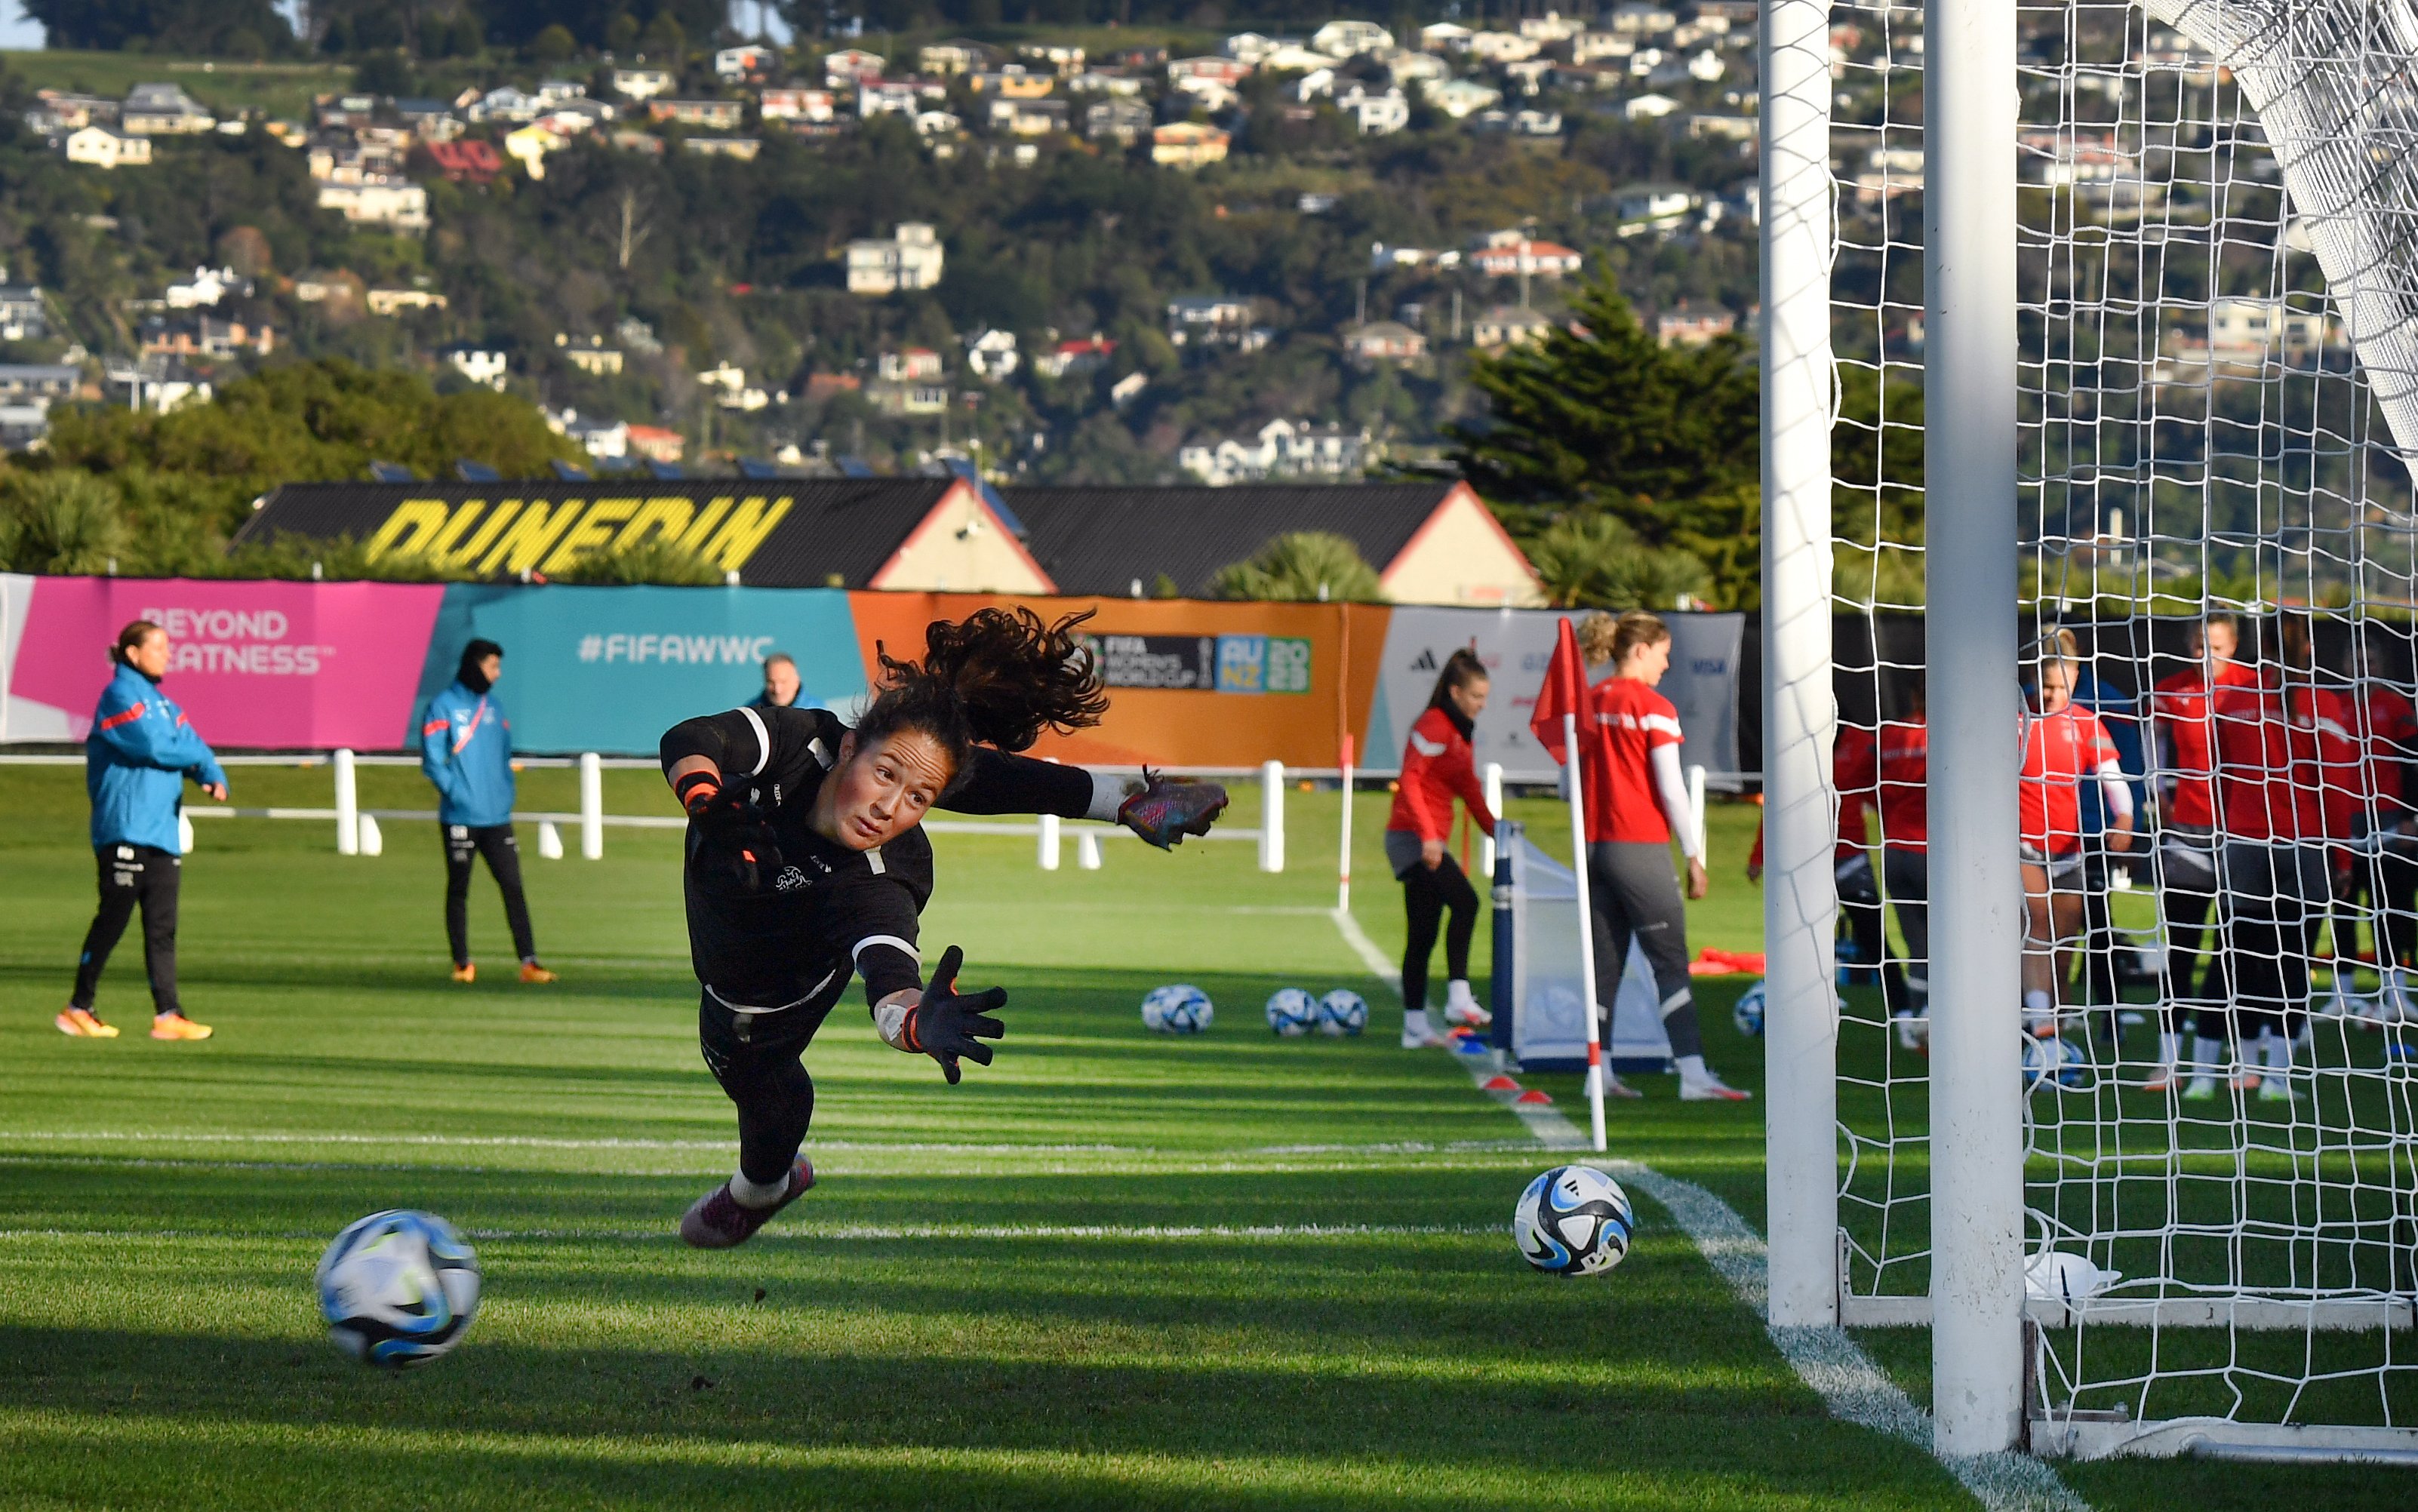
<point x="1800" y="814"/>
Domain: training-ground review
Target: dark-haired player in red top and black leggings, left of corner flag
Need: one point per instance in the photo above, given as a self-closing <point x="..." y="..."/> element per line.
<point x="1438" y="768"/>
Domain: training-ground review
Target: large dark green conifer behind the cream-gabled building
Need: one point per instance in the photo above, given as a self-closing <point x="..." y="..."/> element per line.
<point x="1604" y="417"/>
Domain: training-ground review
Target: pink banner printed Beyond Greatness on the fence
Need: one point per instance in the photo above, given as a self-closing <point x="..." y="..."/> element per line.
<point x="255" y="664"/>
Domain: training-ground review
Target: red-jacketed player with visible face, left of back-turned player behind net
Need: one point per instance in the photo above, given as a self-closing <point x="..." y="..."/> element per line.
<point x="2187" y="838"/>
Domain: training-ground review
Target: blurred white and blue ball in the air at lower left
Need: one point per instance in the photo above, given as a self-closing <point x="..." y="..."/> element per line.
<point x="398" y="1288"/>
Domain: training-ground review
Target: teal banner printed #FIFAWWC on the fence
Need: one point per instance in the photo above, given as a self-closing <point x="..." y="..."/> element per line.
<point x="611" y="669"/>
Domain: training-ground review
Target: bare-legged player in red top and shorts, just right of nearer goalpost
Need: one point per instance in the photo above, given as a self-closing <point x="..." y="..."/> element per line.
<point x="2064" y="744"/>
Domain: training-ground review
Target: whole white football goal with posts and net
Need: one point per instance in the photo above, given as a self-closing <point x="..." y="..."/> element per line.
<point x="2115" y="335"/>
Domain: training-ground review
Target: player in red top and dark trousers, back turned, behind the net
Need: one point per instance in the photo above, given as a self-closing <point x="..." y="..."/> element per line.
<point x="2284" y="751"/>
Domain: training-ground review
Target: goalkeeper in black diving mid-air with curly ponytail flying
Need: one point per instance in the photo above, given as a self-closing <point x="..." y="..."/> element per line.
<point x="806" y="867"/>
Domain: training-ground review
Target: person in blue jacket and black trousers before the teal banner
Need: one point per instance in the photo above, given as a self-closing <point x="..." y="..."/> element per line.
<point x="468" y="754"/>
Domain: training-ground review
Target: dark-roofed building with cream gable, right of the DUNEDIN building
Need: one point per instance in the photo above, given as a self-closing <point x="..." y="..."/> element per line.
<point x="1430" y="543"/>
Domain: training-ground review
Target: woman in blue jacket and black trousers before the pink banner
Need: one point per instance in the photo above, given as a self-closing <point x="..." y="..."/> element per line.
<point x="137" y="761"/>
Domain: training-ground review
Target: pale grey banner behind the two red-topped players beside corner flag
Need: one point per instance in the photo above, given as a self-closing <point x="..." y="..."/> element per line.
<point x="1703" y="683"/>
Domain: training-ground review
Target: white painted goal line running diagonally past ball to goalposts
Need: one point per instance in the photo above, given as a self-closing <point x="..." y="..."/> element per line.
<point x="1829" y="1361"/>
